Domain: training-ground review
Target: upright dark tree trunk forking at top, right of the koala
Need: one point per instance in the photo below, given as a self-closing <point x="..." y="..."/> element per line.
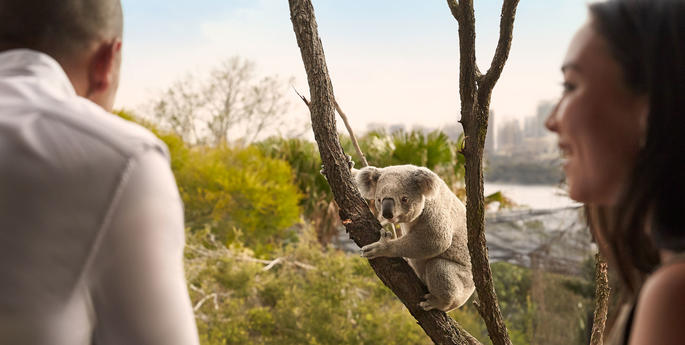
<point x="475" y="91"/>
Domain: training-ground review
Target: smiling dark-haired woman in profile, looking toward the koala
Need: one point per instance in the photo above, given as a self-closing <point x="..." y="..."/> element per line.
<point x="621" y="123"/>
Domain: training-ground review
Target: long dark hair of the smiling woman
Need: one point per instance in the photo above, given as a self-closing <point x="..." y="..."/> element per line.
<point x="647" y="38"/>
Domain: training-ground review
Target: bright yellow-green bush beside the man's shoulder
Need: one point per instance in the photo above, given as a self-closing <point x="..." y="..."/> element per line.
<point x="237" y="192"/>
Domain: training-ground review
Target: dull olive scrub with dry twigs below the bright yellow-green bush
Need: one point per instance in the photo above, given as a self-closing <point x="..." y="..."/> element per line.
<point x="311" y="296"/>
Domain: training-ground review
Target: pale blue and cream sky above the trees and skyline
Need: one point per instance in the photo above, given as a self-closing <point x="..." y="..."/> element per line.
<point x="391" y="61"/>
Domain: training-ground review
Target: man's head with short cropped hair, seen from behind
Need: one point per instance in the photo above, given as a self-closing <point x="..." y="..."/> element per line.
<point x="84" y="36"/>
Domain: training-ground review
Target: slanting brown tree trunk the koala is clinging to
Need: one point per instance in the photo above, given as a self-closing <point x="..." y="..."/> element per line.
<point x="357" y="218"/>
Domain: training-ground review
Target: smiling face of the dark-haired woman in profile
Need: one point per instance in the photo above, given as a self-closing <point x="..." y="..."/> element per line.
<point x="598" y="120"/>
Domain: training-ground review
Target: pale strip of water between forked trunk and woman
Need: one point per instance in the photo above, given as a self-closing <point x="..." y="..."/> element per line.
<point x="533" y="196"/>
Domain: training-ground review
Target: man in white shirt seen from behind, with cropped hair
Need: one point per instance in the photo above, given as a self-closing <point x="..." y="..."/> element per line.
<point x="91" y="223"/>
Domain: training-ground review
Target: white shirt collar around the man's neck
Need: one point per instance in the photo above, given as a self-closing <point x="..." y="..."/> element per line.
<point x="31" y="63"/>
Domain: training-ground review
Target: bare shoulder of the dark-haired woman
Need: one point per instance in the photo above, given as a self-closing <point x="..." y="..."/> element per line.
<point x="660" y="312"/>
